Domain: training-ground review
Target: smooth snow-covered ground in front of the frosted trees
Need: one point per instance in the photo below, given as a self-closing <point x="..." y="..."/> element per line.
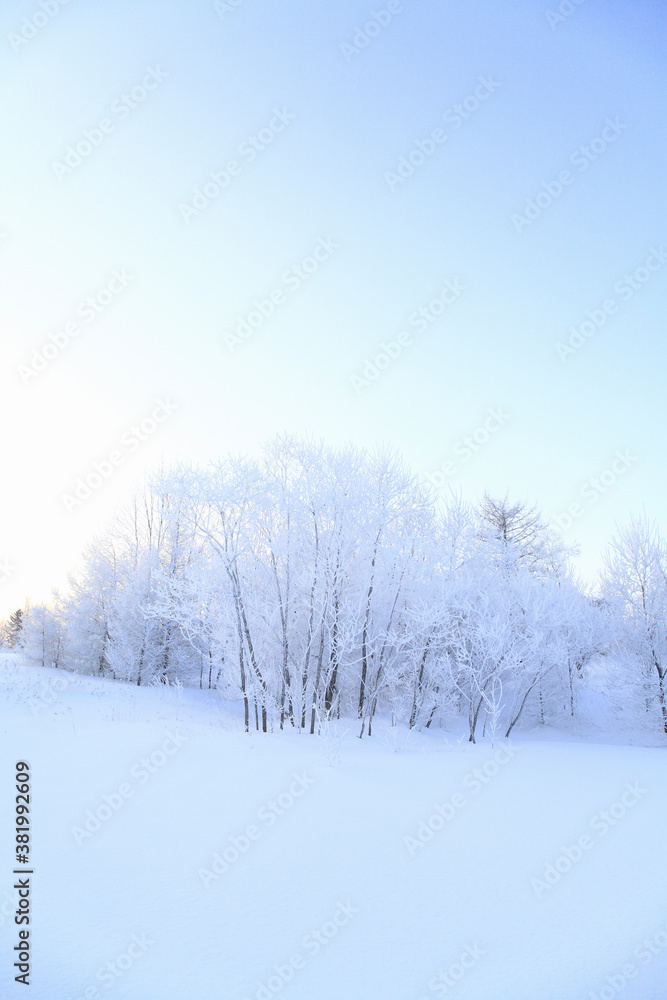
<point x="178" y="858"/>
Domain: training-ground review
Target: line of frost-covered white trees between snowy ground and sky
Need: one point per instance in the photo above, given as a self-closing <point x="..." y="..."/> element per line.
<point x="316" y="582"/>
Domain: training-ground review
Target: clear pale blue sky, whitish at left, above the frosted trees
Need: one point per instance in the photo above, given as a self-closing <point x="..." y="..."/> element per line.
<point x="439" y="226"/>
